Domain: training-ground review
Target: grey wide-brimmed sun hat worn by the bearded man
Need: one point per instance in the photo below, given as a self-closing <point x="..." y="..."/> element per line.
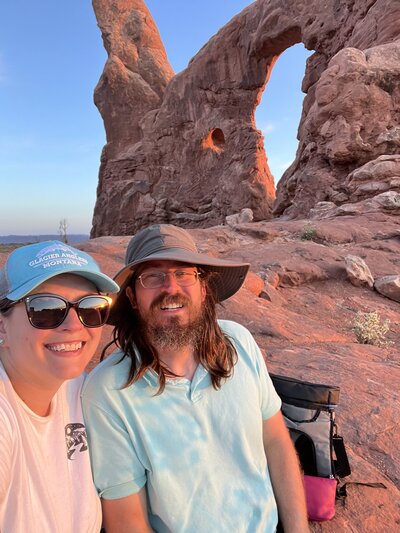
<point x="168" y="242"/>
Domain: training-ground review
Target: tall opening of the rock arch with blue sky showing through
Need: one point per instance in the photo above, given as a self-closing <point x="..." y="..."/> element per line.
<point x="279" y="111"/>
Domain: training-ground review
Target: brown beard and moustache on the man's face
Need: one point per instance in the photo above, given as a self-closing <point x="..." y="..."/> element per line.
<point x="174" y="335"/>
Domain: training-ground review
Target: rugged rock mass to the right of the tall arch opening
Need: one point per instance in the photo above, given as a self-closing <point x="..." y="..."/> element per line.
<point x="350" y="135"/>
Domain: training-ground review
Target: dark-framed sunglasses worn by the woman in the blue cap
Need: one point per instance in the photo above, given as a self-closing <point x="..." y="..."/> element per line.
<point x="46" y="311"/>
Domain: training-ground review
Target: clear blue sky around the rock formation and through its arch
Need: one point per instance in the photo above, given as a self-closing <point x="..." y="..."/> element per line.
<point x="51" y="134"/>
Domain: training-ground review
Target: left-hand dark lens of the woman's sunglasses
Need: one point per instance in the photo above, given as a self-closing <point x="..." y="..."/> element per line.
<point x="46" y="312"/>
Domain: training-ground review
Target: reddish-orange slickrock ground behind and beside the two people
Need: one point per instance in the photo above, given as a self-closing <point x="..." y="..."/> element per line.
<point x="299" y="305"/>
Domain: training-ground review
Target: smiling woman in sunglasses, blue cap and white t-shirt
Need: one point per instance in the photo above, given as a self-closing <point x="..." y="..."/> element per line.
<point x="52" y="305"/>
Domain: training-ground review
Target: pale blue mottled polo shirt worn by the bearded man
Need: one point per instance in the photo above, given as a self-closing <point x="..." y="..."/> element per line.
<point x="198" y="450"/>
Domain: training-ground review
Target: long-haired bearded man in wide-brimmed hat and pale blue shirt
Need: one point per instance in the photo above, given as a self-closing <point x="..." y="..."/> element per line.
<point x="184" y="425"/>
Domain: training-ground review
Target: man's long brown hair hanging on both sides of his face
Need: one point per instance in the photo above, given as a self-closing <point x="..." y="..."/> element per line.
<point x="214" y="350"/>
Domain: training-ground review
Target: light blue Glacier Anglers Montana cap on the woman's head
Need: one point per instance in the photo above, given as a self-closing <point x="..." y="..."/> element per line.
<point x="29" y="266"/>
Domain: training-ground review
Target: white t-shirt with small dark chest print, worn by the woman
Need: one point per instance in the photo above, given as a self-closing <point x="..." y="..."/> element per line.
<point x="45" y="476"/>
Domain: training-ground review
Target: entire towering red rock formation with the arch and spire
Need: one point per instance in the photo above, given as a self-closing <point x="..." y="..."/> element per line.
<point x="188" y="151"/>
